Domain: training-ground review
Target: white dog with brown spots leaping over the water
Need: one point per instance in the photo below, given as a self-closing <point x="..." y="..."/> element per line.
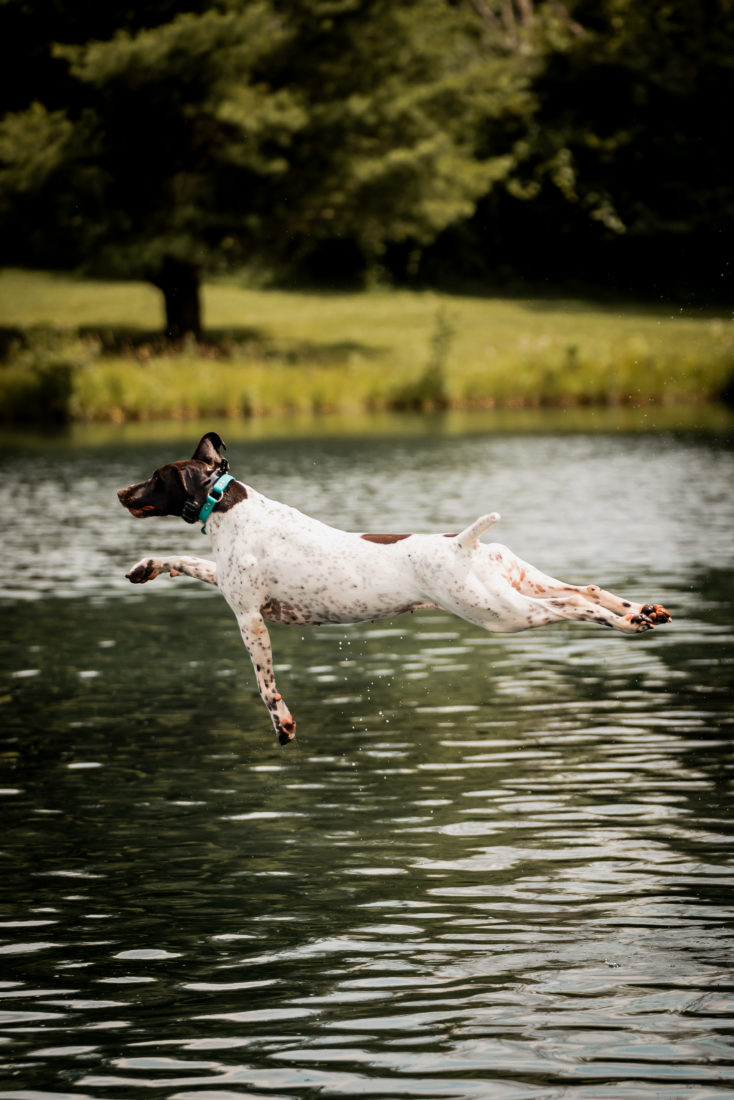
<point x="276" y="564"/>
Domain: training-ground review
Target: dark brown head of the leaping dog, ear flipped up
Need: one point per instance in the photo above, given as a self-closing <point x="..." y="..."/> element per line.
<point x="179" y="489"/>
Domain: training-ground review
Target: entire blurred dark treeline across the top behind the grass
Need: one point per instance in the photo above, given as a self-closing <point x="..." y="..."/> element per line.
<point x="453" y="144"/>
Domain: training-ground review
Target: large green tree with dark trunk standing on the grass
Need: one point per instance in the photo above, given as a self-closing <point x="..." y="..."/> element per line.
<point x="244" y="127"/>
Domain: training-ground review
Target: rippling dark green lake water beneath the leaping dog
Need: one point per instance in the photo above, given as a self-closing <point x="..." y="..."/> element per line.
<point x="489" y="867"/>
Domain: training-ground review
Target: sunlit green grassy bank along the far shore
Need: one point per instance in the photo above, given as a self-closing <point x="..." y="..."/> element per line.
<point x="89" y="351"/>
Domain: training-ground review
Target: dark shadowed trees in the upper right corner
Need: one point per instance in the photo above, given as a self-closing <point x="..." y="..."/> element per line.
<point x="625" y="153"/>
